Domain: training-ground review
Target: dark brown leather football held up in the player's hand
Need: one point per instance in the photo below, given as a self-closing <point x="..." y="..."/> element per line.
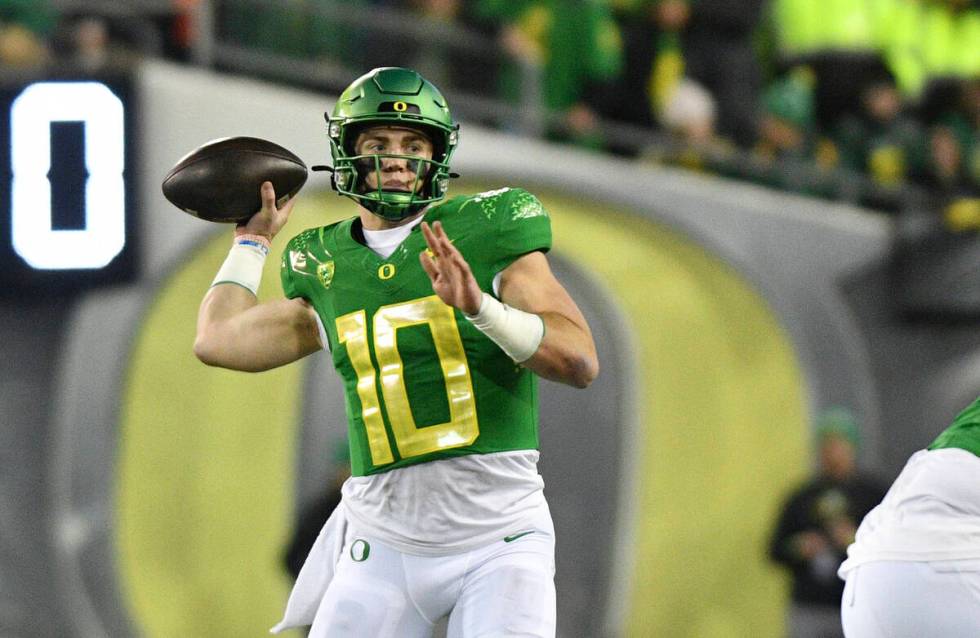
<point x="220" y="180"/>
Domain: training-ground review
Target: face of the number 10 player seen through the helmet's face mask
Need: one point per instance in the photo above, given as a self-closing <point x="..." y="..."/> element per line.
<point x="396" y="174"/>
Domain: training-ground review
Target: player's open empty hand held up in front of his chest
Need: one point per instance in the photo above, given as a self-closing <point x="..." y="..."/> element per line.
<point x="452" y="279"/>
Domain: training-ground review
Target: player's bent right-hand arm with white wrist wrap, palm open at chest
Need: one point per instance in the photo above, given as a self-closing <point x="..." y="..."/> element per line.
<point x="538" y="323"/>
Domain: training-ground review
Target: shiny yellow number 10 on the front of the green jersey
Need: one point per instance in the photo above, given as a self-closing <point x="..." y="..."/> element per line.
<point x="461" y="429"/>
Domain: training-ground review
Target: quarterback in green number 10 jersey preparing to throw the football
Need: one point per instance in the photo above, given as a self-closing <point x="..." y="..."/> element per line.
<point x="439" y="314"/>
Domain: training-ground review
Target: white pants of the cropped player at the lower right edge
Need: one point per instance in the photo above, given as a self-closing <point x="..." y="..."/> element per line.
<point x="898" y="599"/>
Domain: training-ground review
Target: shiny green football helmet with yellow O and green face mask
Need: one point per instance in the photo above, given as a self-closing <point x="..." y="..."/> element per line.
<point x="391" y="96"/>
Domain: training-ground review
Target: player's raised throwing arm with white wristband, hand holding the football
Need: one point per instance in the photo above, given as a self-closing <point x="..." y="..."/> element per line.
<point x="234" y="330"/>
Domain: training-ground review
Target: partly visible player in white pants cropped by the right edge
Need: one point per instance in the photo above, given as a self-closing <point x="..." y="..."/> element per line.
<point x="914" y="568"/>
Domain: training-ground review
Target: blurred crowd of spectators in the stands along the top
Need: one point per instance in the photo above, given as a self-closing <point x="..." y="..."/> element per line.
<point x="865" y="100"/>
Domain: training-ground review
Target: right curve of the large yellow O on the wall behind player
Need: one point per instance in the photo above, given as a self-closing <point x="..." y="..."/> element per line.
<point x="722" y="427"/>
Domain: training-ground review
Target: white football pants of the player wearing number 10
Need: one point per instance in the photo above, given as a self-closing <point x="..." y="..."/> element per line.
<point x="506" y="588"/>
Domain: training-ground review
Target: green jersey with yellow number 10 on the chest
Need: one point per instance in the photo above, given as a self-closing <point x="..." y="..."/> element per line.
<point x="421" y="382"/>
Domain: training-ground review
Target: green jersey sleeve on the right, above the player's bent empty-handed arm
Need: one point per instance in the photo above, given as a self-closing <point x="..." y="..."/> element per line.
<point x="523" y="226"/>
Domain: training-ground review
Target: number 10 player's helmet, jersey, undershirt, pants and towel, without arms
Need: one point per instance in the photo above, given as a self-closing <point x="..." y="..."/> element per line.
<point x="442" y="424"/>
